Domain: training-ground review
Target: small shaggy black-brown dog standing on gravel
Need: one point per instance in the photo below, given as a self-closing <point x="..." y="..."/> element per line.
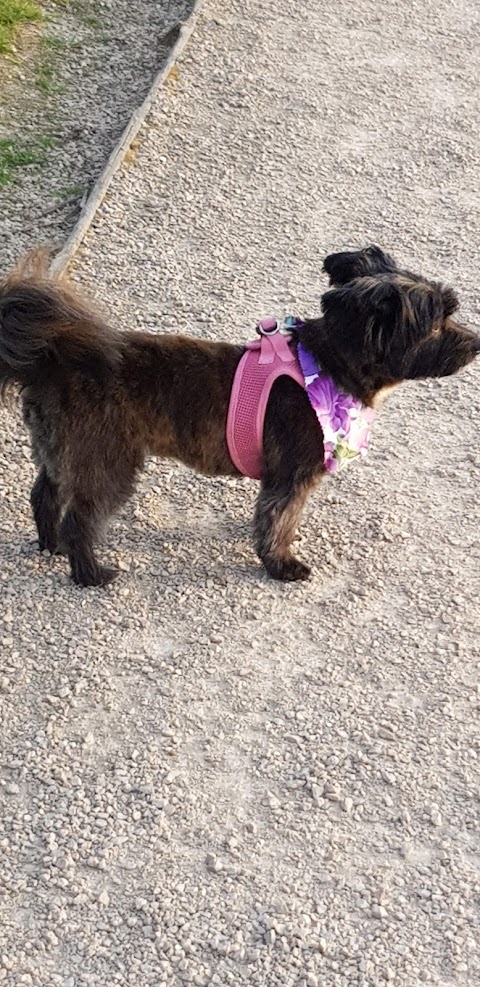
<point x="98" y="401"/>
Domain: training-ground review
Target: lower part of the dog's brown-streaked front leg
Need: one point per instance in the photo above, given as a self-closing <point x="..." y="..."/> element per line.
<point x="277" y="515"/>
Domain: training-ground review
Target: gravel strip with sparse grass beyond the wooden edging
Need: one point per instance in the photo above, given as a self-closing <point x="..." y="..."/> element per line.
<point x="66" y="98"/>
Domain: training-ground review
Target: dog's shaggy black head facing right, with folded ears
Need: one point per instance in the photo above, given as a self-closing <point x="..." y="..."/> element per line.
<point x="393" y="325"/>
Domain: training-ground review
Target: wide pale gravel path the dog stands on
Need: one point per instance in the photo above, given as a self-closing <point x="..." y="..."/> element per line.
<point x="208" y="778"/>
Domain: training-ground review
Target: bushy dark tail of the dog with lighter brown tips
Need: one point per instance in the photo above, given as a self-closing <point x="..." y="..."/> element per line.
<point x="45" y="327"/>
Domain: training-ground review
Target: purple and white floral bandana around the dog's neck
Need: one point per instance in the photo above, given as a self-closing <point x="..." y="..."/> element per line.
<point x="344" y="420"/>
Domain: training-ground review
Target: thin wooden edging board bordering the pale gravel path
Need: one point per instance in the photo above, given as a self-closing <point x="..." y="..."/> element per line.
<point x="65" y="256"/>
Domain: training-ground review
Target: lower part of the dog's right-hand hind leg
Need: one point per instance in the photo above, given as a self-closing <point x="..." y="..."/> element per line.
<point x="78" y="533"/>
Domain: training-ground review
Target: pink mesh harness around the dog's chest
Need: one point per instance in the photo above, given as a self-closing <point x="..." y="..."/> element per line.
<point x="265" y="359"/>
